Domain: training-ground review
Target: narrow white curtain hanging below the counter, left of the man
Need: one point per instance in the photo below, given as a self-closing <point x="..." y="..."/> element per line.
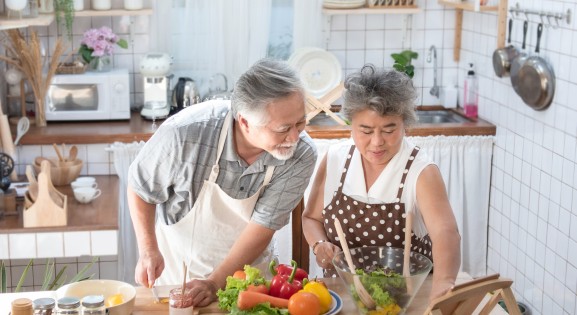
<point x="124" y="154"/>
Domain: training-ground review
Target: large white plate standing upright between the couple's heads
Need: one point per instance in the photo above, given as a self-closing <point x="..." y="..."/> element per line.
<point x="319" y="70"/>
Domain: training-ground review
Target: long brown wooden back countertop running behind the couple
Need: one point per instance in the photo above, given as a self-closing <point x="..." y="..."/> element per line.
<point x="139" y="129"/>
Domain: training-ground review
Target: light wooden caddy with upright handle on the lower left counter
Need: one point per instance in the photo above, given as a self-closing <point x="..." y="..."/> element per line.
<point x="50" y="207"/>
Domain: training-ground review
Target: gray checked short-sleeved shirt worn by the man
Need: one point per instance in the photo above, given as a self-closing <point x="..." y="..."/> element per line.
<point x="171" y="168"/>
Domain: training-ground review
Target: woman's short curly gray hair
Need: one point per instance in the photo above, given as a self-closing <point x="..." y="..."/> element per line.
<point x="387" y="92"/>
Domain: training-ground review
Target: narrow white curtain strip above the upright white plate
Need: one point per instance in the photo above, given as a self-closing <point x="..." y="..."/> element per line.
<point x="308" y="24"/>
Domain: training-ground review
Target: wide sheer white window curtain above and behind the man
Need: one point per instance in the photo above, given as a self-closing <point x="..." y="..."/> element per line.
<point x="206" y="37"/>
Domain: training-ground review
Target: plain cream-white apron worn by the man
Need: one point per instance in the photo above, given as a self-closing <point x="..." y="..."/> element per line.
<point x="204" y="237"/>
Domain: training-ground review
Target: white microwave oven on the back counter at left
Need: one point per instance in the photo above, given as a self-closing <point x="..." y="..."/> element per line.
<point x="89" y="96"/>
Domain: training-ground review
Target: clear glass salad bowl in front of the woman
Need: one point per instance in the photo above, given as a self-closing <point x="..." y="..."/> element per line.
<point x="392" y="294"/>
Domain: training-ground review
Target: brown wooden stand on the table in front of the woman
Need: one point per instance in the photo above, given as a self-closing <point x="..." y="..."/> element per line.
<point x="467" y="297"/>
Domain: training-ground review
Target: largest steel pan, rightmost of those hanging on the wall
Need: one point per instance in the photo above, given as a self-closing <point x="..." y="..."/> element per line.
<point x="537" y="79"/>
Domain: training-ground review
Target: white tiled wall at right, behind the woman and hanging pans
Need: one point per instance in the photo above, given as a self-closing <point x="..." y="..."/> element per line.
<point x="533" y="206"/>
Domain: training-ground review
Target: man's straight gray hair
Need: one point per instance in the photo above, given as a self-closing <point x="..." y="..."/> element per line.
<point x="266" y="81"/>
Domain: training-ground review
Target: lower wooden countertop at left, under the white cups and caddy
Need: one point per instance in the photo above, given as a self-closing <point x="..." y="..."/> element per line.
<point x="100" y="214"/>
